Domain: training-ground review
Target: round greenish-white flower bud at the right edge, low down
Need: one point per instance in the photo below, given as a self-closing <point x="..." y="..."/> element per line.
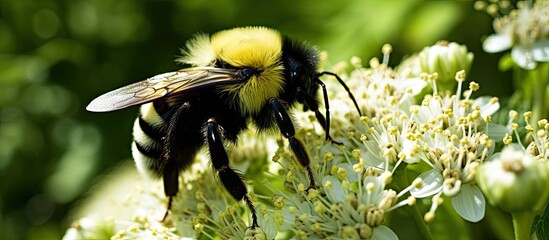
<point x="514" y="181"/>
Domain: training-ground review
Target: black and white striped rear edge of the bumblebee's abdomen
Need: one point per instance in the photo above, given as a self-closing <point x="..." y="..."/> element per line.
<point x="148" y="131"/>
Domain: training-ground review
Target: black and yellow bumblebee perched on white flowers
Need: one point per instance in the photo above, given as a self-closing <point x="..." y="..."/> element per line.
<point x="236" y="77"/>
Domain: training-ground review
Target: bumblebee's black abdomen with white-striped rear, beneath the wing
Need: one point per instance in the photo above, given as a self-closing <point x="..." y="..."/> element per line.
<point x="171" y="136"/>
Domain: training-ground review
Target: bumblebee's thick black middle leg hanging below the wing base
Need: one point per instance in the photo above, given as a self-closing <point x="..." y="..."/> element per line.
<point x="220" y="161"/>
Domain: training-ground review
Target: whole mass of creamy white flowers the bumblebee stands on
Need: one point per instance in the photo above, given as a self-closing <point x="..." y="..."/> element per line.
<point x="407" y="128"/>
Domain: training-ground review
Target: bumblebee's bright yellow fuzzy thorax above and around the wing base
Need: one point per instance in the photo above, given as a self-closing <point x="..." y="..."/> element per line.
<point x="259" y="48"/>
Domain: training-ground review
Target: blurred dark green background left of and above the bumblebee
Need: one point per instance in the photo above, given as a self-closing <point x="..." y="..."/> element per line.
<point x="56" y="56"/>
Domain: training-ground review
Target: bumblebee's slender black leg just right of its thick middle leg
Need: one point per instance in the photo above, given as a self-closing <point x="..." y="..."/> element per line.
<point x="288" y="131"/>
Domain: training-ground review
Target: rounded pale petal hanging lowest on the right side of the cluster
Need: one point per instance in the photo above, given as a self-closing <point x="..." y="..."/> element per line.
<point x="470" y="203"/>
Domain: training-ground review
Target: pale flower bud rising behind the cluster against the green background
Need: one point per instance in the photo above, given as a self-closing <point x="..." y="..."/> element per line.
<point x="446" y="59"/>
